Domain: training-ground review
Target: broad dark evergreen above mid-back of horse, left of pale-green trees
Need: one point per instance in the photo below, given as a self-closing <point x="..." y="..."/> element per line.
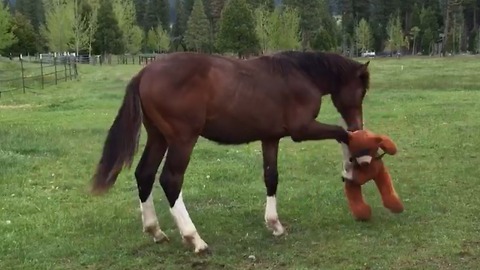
<point x="237" y="30"/>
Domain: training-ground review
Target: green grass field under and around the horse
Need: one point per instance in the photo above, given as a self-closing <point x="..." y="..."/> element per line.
<point x="50" y="142"/>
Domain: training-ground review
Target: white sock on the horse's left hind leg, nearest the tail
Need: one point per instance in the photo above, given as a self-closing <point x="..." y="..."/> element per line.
<point x="150" y="221"/>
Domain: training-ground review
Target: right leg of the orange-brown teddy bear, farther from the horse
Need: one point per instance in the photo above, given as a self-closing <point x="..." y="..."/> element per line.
<point x="390" y="198"/>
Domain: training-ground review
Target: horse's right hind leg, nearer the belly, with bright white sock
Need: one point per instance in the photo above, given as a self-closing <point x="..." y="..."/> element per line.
<point x="171" y="179"/>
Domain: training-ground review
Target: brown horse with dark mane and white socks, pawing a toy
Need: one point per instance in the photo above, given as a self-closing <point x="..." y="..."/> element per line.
<point x="186" y="95"/>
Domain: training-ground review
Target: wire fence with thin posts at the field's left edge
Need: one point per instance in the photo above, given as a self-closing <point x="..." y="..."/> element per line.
<point x="21" y="75"/>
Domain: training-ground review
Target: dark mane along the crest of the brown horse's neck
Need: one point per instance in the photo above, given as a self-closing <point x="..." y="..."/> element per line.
<point x="333" y="66"/>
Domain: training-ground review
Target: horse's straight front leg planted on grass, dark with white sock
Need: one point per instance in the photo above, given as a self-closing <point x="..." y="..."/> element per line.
<point x="270" y="176"/>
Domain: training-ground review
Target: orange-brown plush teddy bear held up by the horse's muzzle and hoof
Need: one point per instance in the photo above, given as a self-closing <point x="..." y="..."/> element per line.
<point x="365" y="165"/>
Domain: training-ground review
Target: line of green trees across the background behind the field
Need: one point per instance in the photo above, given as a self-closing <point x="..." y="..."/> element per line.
<point x="241" y="27"/>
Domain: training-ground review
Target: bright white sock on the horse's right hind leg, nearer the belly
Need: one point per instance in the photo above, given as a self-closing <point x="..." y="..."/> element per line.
<point x="185" y="225"/>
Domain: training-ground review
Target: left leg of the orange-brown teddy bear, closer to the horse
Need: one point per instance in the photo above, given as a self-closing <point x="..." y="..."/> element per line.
<point x="360" y="209"/>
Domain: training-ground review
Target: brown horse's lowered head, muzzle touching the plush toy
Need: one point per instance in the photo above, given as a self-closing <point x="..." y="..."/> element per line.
<point x="349" y="95"/>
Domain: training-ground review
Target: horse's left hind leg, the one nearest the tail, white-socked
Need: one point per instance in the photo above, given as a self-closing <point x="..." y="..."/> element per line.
<point x="145" y="175"/>
